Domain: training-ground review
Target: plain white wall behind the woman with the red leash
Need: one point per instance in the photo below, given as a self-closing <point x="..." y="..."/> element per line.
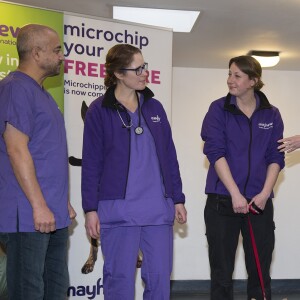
<point x="193" y="90"/>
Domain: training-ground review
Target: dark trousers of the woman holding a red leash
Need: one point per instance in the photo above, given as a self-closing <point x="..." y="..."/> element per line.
<point x="223" y="228"/>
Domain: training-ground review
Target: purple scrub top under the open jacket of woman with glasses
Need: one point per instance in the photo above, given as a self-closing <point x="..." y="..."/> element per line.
<point x="144" y="203"/>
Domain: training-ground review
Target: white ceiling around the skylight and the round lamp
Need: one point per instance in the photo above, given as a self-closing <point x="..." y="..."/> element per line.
<point x="225" y="28"/>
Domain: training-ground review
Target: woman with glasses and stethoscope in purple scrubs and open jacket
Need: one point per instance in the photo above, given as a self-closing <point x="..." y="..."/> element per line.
<point x="131" y="185"/>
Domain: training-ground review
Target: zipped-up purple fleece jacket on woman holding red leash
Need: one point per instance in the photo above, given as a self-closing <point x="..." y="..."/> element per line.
<point x="249" y="145"/>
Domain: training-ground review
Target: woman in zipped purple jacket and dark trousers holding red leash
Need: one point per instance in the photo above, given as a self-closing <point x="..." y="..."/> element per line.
<point x="241" y="132"/>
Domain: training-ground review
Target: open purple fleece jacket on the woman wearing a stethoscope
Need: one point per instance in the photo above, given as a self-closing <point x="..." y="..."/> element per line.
<point x="106" y="150"/>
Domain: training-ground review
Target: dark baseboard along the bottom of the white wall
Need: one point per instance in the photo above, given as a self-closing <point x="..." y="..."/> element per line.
<point x="279" y="286"/>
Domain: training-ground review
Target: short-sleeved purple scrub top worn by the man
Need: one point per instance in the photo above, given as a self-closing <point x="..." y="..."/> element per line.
<point x="29" y="108"/>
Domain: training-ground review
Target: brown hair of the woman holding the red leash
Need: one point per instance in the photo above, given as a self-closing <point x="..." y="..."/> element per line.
<point x="249" y="66"/>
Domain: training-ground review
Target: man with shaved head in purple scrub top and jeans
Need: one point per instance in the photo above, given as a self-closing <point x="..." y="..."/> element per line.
<point x="34" y="209"/>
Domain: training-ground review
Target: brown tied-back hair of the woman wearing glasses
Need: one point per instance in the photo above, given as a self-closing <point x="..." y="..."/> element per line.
<point x="118" y="57"/>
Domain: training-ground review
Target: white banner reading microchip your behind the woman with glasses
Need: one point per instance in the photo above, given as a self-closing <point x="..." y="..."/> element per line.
<point x="86" y="42"/>
